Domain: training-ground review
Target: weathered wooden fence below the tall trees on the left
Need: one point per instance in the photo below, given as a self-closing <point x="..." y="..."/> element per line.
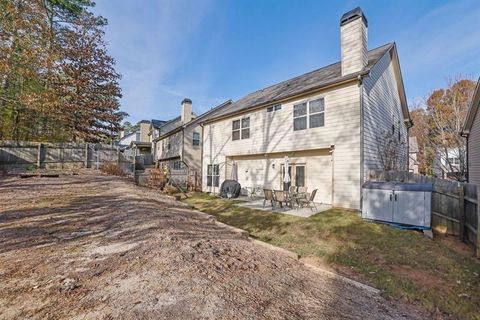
<point x="24" y="155"/>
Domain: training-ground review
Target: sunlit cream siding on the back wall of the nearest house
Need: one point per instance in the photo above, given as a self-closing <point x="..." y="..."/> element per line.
<point x="275" y="134"/>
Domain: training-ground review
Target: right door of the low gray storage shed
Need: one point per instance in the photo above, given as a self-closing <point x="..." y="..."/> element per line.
<point x="409" y="208"/>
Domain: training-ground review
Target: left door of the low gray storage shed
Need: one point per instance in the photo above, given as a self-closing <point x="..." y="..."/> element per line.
<point x="378" y="204"/>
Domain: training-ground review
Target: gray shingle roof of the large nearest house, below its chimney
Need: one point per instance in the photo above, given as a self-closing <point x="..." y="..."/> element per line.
<point x="330" y="74"/>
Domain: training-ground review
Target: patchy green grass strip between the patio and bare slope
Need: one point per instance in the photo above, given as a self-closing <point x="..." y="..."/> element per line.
<point x="403" y="264"/>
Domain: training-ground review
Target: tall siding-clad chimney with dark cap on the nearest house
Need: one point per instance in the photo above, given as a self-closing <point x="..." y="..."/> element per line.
<point x="353" y="41"/>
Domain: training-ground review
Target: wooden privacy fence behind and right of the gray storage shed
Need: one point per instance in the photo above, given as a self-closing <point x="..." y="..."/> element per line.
<point x="455" y="205"/>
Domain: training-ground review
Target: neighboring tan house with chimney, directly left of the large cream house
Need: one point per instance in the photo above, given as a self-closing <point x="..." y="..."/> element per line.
<point x="178" y="148"/>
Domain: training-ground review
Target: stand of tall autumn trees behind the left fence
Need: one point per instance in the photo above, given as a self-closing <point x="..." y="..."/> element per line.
<point x="57" y="79"/>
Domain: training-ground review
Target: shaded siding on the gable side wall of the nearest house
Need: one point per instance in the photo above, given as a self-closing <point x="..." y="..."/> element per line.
<point x="382" y="110"/>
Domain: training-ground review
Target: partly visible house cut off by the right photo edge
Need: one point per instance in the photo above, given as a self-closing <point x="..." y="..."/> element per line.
<point x="471" y="130"/>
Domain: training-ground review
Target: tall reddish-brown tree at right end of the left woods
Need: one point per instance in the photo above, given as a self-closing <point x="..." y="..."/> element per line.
<point x="90" y="89"/>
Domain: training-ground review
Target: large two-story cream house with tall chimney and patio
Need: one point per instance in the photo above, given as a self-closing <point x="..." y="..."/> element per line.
<point x="327" y="123"/>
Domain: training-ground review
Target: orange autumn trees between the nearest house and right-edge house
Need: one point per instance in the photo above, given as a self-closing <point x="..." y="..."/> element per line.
<point x="438" y="121"/>
